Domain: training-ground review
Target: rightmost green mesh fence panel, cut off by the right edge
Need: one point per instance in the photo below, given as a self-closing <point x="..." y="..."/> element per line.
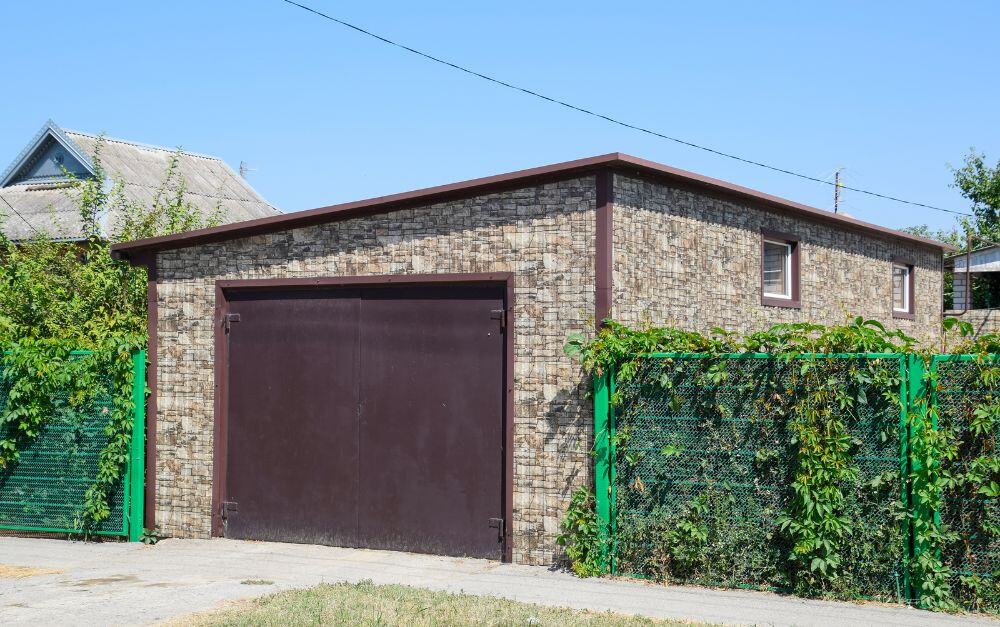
<point x="975" y="556"/>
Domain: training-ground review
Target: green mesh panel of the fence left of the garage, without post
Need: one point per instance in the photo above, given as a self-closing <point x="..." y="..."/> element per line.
<point x="44" y="490"/>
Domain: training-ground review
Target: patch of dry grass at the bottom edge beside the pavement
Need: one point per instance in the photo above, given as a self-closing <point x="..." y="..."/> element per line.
<point x="367" y="604"/>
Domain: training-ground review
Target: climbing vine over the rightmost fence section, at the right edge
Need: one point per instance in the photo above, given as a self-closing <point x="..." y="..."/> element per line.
<point x="956" y="476"/>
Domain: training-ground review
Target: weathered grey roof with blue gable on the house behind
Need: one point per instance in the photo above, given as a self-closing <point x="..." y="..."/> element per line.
<point x="37" y="186"/>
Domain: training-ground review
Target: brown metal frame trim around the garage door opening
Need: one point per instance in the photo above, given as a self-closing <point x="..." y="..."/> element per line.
<point x="220" y="431"/>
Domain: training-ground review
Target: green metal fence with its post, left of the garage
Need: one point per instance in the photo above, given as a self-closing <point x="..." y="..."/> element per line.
<point x="44" y="491"/>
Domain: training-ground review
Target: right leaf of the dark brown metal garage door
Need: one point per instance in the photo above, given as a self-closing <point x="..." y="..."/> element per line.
<point x="431" y="420"/>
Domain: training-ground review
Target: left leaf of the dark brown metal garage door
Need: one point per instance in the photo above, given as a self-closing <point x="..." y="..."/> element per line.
<point x="292" y="467"/>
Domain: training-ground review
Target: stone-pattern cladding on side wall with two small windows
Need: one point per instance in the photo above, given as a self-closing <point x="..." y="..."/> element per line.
<point x="693" y="260"/>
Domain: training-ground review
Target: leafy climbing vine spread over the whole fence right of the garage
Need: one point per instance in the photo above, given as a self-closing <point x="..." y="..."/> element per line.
<point x="767" y="460"/>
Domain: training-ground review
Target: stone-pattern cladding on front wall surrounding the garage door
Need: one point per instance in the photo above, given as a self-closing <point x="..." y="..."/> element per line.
<point x="544" y="235"/>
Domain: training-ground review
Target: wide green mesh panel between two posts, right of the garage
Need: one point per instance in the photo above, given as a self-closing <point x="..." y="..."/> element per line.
<point x="703" y="467"/>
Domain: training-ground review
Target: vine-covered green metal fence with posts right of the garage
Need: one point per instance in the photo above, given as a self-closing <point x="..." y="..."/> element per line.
<point x="698" y="446"/>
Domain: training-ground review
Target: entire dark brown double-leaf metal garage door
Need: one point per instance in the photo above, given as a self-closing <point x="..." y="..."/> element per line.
<point x="368" y="417"/>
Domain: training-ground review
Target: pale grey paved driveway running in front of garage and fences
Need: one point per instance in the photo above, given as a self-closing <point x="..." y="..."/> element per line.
<point x="117" y="583"/>
